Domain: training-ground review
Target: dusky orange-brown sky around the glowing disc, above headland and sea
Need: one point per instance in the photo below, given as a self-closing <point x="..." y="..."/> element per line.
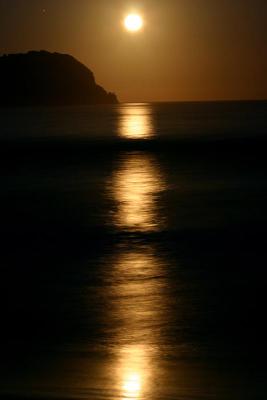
<point x="188" y="49"/>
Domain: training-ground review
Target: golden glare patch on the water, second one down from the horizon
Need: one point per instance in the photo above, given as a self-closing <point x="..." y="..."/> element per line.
<point x="135" y="187"/>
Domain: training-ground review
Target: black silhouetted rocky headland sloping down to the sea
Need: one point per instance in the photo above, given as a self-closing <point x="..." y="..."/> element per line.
<point x="41" y="78"/>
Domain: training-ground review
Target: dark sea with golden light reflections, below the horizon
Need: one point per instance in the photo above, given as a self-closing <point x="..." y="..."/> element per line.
<point x="133" y="252"/>
